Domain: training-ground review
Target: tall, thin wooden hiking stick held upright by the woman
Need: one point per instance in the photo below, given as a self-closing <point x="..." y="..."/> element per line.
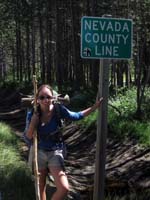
<point x="35" y="163"/>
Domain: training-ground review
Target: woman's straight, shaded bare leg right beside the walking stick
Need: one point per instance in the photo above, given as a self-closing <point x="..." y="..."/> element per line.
<point x="42" y="182"/>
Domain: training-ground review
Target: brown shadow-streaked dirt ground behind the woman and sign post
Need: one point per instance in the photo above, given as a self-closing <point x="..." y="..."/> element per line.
<point x="127" y="163"/>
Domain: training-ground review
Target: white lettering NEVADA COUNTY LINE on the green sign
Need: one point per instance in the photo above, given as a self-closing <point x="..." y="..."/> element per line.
<point x="107" y="38"/>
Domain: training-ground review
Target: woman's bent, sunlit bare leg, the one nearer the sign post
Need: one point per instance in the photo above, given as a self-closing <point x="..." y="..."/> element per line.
<point x="61" y="182"/>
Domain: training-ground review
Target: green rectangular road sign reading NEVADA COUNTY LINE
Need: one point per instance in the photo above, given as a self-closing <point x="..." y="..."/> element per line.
<point x="109" y="38"/>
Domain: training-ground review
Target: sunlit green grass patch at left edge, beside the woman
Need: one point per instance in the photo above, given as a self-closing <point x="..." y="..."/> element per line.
<point x="15" y="176"/>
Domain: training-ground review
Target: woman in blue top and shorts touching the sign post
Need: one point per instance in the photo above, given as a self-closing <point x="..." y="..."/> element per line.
<point x="50" y="144"/>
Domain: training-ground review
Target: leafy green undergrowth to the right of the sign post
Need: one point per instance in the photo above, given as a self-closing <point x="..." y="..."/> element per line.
<point x="123" y="120"/>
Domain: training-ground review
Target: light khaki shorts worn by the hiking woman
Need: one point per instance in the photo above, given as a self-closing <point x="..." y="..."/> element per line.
<point x="47" y="159"/>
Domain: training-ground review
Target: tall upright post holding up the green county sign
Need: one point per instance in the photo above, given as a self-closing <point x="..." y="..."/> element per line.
<point x="99" y="182"/>
